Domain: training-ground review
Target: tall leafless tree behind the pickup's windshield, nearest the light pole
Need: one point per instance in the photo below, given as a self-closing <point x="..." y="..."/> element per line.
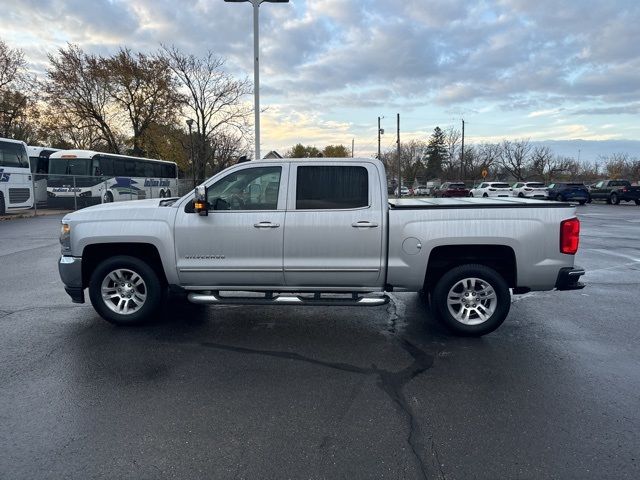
<point x="214" y="100"/>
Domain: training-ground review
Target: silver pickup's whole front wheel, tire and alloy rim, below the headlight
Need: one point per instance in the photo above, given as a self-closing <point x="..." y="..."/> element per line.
<point x="125" y="290"/>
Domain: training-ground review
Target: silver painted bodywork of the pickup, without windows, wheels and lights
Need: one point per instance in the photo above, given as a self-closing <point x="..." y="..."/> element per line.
<point x="326" y="250"/>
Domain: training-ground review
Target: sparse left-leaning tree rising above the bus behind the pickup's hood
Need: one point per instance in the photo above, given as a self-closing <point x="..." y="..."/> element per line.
<point x="77" y="85"/>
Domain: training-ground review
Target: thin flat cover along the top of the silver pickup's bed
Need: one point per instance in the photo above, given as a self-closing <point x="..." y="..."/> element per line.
<point x="468" y="202"/>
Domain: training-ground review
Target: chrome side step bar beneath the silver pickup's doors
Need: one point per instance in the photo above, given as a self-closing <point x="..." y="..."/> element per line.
<point x="214" y="298"/>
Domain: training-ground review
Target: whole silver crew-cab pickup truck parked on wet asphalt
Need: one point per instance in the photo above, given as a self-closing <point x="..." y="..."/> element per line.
<point x="317" y="232"/>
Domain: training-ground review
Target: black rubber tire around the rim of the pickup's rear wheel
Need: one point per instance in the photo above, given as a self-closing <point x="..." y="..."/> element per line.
<point x="440" y="295"/>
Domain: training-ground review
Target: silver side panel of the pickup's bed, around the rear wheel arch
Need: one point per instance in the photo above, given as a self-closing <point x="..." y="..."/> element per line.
<point x="532" y="233"/>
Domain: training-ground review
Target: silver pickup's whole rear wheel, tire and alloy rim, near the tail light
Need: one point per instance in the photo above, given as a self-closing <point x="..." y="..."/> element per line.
<point x="471" y="300"/>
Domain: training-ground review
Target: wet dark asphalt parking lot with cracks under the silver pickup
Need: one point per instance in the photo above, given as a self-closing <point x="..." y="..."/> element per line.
<point x="267" y="392"/>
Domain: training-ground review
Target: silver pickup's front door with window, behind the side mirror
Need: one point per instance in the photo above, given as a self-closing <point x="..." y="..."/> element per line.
<point x="240" y="242"/>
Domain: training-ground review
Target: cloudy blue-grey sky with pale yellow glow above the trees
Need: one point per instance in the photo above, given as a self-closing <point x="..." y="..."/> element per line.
<point x="537" y="69"/>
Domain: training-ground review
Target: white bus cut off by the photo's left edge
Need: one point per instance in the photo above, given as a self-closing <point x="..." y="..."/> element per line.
<point x="16" y="189"/>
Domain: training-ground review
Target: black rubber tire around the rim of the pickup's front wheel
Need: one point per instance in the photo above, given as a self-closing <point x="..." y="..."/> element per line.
<point x="152" y="289"/>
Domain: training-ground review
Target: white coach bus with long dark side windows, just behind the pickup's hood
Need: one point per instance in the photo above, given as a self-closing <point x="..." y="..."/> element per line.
<point x="95" y="177"/>
